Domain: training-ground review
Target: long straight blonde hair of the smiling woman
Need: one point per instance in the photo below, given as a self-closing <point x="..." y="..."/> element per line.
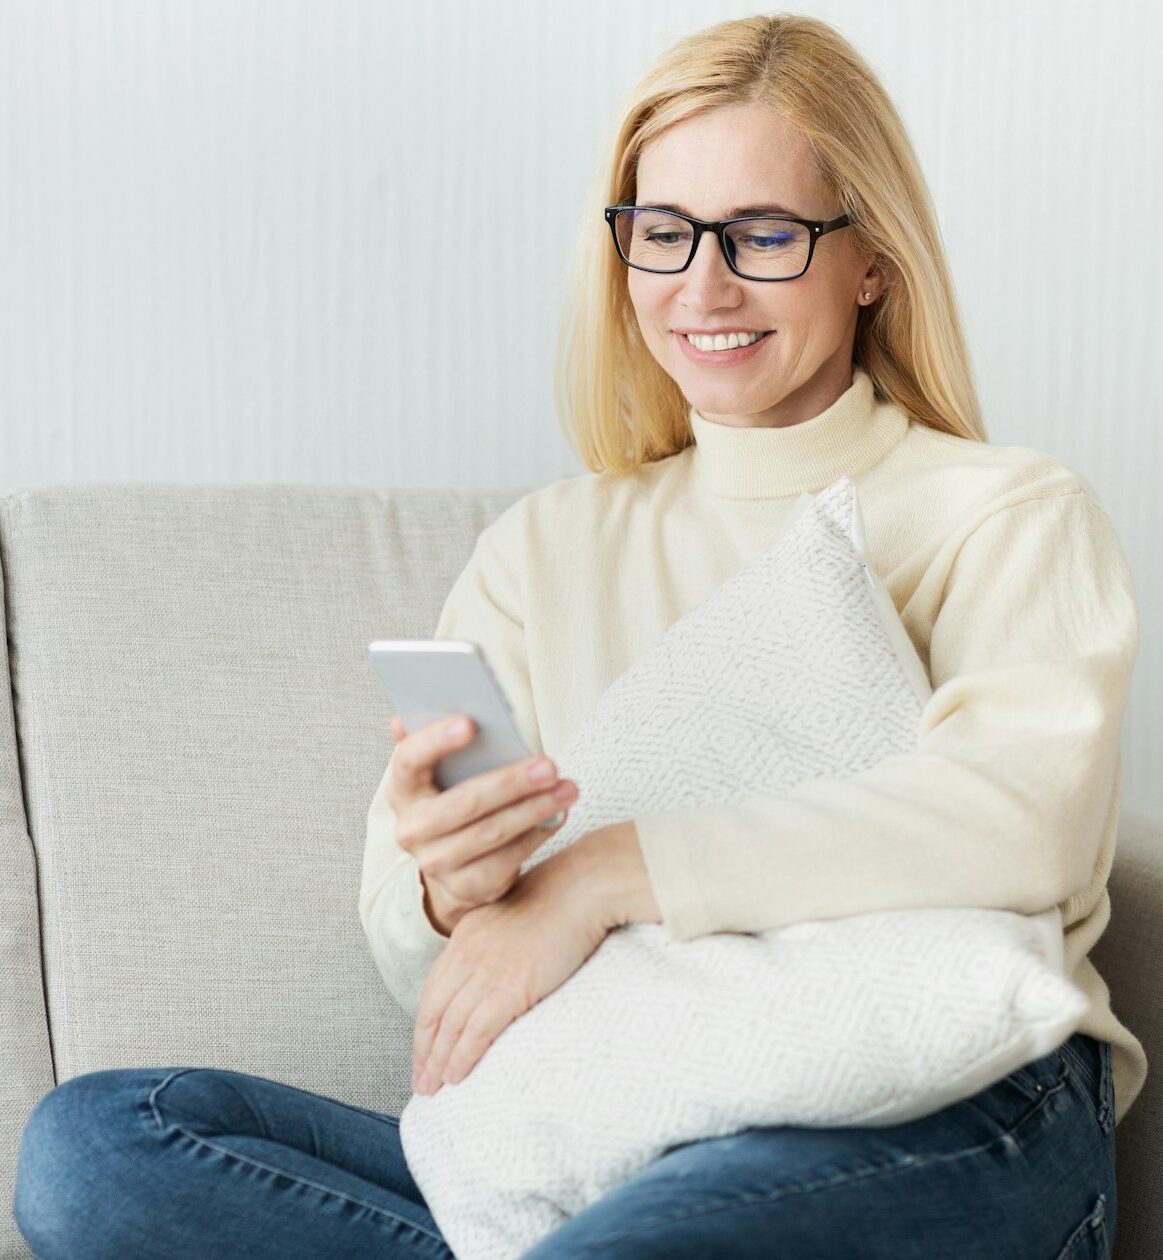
<point x="621" y="409"/>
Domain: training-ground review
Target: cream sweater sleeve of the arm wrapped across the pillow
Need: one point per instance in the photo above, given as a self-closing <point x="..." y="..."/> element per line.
<point x="1004" y="803"/>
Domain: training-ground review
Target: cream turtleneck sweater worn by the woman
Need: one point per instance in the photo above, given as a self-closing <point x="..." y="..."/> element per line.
<point x="1011" y="583"/>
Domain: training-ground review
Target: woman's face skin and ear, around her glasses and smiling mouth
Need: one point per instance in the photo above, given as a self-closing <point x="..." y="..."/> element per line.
<point x="743" y="157"/>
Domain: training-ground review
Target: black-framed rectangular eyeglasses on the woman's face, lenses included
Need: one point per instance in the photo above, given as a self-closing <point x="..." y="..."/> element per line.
<point x="758" y="248"/>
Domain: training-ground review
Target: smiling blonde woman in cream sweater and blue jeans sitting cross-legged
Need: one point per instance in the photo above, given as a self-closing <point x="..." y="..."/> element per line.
<point x="1010" y="579"/>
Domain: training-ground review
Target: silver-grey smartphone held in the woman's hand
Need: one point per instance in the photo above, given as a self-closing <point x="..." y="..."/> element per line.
<point x="429" y="680"/>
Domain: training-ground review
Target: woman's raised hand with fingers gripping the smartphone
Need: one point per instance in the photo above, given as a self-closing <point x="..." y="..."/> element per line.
<point x="469" y="841"/>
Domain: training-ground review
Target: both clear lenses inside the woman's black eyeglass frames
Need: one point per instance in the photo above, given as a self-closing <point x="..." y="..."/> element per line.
<point x="762" y="249"/>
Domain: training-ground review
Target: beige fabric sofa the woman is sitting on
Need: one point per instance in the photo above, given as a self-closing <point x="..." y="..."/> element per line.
<point x="191" y="747"/>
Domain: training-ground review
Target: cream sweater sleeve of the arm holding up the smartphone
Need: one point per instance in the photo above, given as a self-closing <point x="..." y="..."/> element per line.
<point x="481" y="607"/>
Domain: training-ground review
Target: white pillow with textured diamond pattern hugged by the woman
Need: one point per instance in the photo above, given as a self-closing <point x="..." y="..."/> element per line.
<point x="796" y="667"/>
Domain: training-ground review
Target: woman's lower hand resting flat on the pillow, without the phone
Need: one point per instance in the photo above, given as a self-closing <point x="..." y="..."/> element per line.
<point x="501" y="961"/>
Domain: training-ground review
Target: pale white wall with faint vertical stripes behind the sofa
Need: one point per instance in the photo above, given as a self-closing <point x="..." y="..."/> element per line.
<point x="211" y="215"/>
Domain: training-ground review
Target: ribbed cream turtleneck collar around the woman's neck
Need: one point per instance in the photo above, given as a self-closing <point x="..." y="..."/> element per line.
<point x="851" y="437"/>
